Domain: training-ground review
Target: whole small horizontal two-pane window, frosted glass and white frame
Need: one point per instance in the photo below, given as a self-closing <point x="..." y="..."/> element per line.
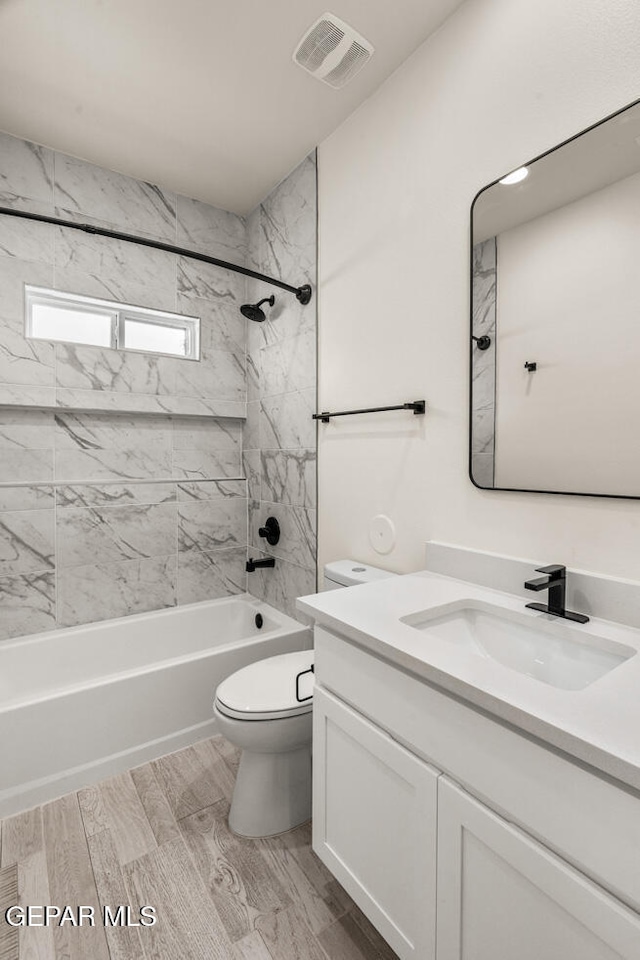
<point x="53" y="315"/>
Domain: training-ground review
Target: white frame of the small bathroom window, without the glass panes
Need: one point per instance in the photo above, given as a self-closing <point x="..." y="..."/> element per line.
<point x="118" y="313"/>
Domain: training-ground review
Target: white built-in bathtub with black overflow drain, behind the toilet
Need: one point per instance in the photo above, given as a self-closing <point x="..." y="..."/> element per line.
<point x="85" y="703"/>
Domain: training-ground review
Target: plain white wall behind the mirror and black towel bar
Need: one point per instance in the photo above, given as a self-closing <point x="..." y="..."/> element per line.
<point x="501" y="81"/>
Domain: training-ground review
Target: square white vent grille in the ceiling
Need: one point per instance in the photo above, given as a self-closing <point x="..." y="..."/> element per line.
<point x="332" y="51"/>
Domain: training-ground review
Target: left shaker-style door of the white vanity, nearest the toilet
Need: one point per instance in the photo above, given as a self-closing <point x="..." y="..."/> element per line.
<point x="374" y="824"/>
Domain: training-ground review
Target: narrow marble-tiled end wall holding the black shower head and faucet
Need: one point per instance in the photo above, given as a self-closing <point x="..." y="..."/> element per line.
<point x="279" y="434"/>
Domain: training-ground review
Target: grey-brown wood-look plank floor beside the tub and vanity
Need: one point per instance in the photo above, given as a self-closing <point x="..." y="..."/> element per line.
<point x="158" y="836"/>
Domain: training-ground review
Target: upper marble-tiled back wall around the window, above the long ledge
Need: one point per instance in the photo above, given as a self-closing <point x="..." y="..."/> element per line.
<point x="40" y="180"/>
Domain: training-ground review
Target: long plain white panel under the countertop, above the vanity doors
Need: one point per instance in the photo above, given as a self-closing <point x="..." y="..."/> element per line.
<point x="585" y="818"/>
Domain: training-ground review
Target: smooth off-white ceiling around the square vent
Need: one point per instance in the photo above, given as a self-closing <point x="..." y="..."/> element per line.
<point x="201" y="96"/>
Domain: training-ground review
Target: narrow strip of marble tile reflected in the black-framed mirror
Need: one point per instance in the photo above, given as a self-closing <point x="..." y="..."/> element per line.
<point x="484" y="370"/>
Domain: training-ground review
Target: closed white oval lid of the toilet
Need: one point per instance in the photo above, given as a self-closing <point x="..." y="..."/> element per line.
<point x="267" y="688"/>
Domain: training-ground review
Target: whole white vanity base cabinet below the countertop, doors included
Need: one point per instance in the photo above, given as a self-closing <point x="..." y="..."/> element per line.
<point x="434" y="816"/>
